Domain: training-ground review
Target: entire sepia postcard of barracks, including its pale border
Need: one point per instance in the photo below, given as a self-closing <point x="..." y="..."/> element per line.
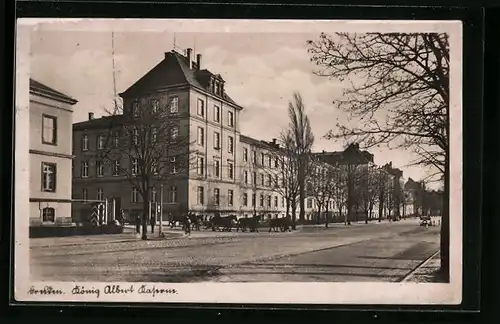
<point x="228" y="161"/>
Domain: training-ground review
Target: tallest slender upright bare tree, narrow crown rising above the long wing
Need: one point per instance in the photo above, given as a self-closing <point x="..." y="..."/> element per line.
<point x="303" y="138"/>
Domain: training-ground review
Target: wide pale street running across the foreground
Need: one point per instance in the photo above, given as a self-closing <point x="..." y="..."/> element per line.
<point x="360" y="252"/>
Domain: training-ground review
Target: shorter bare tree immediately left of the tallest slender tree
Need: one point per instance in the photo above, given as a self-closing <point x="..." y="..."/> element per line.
<point x="285" y="177"/>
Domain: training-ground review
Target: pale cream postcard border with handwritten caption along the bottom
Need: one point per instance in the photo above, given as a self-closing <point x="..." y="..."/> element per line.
<point x="255" y="293"/>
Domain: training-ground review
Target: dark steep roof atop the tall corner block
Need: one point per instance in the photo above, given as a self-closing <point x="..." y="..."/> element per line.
<point x="173" y="70"/>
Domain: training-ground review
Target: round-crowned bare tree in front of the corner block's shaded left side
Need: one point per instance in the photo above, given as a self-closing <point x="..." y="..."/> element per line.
<point x="145" y="146"/>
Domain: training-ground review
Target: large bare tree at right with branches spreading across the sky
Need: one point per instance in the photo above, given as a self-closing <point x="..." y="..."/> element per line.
<point x="399" y="94"/>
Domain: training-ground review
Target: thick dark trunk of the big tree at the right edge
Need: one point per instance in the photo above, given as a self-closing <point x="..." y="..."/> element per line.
<point x="445" y="225"/>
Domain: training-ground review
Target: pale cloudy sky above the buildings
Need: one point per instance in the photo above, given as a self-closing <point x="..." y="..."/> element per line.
<point x="261" y="70"/>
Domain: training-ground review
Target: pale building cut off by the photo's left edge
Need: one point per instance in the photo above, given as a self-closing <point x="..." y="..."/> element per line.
<point x="50" y="155"/>
